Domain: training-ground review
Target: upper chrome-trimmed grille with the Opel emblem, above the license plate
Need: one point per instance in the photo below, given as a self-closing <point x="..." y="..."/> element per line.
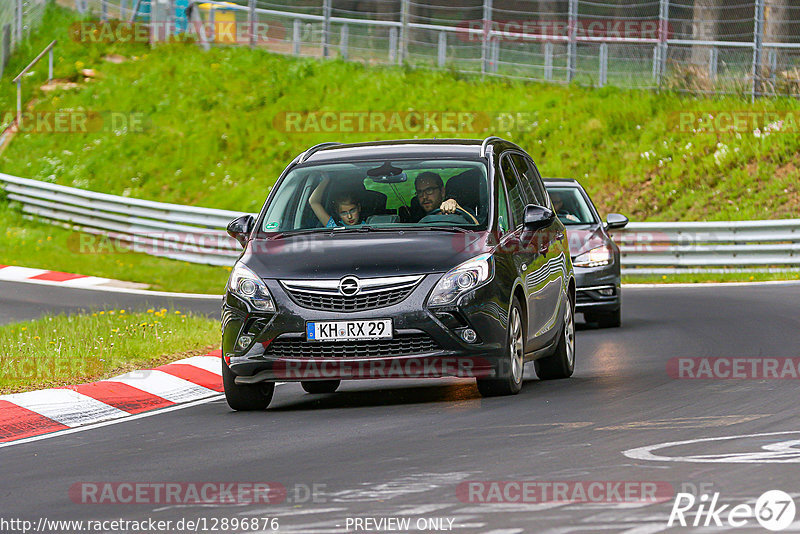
<point x="325" y="296"/>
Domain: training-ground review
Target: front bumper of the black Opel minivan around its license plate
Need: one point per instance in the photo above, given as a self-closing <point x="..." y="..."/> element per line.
<point x="425" y="342"/>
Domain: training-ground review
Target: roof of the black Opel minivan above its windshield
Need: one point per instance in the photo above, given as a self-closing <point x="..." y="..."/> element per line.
<point x="403" y="149"/>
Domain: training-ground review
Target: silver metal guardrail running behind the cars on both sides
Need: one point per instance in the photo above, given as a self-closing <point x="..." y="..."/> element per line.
<point x="197" y="235"/>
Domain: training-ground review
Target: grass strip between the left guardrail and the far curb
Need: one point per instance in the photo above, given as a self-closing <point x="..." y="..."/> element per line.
<point x="39" y="245"/>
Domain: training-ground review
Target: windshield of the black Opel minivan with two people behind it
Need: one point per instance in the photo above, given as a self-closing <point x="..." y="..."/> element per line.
<point x="380" y="194"/>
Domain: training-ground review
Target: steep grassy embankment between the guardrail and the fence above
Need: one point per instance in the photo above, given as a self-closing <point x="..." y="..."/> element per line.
<point x="210" y="135"/>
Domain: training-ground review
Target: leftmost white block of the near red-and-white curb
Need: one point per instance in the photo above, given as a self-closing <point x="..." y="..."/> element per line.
<point x="65" y="406"/>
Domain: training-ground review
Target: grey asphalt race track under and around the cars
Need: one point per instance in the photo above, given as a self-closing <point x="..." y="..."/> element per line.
<point x="400" y="449"/>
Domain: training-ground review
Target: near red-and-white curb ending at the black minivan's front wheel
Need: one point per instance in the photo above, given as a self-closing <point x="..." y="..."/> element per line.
<point x="33" y="413"/>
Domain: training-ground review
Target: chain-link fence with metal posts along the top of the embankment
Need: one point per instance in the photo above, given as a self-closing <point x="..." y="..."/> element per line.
<point x="704" y="46"/>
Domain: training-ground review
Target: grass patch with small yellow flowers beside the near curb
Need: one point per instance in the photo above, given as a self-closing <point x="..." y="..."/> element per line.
<point x="61" y="350"/>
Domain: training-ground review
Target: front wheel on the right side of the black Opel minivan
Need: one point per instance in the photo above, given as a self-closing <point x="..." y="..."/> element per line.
<point x="510" y="371"/>
